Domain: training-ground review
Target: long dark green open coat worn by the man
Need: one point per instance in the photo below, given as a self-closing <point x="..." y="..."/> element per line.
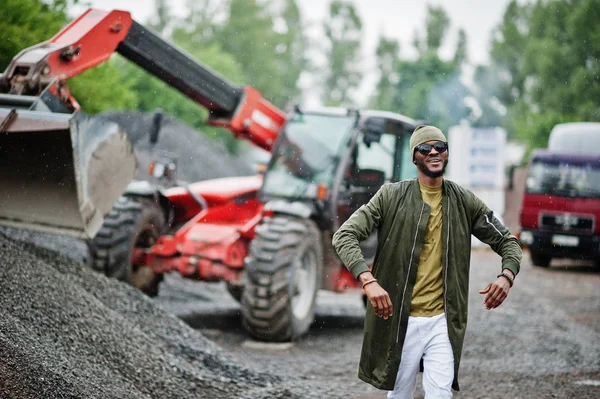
<point x="399" y="215"/>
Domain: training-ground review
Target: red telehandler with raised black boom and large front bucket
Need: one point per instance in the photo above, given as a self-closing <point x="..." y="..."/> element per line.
<point x="267" y="236"/>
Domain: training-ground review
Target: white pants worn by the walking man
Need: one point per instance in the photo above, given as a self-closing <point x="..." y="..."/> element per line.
<point x="427" y="338"/>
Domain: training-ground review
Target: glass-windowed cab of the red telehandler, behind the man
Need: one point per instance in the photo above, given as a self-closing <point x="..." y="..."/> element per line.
<point x="335" y="160"/>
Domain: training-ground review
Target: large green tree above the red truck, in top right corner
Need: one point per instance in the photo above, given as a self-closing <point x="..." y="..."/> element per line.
<point x="545" y="56"/>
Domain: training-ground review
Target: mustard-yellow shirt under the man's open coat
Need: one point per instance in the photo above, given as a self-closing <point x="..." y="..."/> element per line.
<point x="428" y="292"/>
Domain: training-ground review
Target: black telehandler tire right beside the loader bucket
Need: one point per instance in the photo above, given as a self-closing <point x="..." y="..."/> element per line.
<point x="132" y="222"/>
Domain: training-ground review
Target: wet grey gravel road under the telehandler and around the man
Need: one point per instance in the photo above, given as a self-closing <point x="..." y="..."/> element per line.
<point x="543" y="342"/>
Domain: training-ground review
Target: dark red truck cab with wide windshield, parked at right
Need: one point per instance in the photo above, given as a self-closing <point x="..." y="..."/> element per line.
<point x="560" y="212"/>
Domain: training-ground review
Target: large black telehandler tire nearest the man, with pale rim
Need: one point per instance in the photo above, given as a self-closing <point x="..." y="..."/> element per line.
<point x="282" y="276"/>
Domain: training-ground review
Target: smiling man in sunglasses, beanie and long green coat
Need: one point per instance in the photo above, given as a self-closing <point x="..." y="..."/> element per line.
<point x="418" y="287"/>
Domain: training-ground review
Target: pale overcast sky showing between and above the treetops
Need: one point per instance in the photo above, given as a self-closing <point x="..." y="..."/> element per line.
<point x="393" y="18"/>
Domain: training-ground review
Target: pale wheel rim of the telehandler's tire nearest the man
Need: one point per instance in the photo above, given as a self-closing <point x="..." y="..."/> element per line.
<point x="303" y="285"/>
